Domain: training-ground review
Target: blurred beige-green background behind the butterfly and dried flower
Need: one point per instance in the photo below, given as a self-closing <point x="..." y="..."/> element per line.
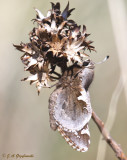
<point x="24" y="118"/>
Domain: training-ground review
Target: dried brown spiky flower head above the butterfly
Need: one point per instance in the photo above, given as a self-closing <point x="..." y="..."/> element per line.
<point x="56" y="41"/>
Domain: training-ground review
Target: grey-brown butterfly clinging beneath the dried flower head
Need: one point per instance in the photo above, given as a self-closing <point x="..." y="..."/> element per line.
<point x="70" y="108"/>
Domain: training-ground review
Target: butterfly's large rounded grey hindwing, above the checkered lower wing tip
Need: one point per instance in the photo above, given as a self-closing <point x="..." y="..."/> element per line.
<point x="69" y="110"/>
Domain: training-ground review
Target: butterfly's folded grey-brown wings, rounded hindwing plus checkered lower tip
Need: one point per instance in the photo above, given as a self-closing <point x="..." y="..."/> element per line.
<point x="70" y="115"/>
